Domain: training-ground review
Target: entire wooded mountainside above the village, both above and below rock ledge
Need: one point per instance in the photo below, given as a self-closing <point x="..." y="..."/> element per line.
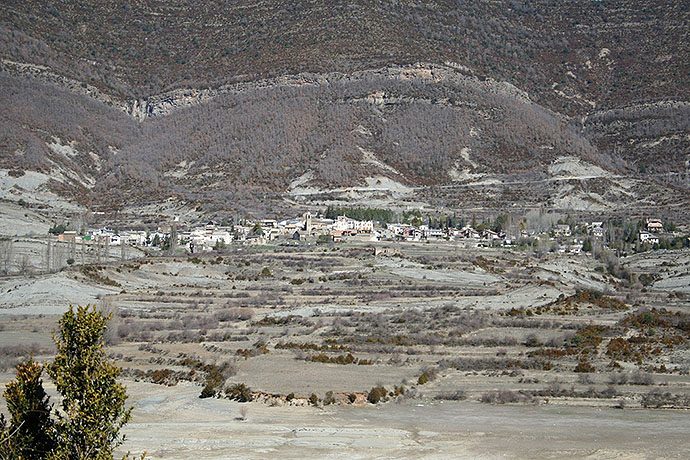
<point x="233" y="101"/>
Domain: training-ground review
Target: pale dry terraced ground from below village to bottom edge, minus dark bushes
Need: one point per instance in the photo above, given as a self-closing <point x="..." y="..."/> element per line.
<point x="387" y="307"/>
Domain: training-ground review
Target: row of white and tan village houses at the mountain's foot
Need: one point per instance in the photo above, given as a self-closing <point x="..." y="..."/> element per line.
<point x="571" y="237"/>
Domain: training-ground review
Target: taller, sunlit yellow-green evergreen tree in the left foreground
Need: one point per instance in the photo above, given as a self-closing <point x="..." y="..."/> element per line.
<point x="93" y="405"/>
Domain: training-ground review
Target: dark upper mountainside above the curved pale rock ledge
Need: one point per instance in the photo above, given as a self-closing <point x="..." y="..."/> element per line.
<point x="144" y="47"/>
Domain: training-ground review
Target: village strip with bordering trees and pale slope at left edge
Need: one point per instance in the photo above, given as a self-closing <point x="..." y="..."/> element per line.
<point x="78" y="243"/>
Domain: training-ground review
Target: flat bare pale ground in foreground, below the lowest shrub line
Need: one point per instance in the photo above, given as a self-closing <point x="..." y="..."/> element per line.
<point x="176" y="424"/>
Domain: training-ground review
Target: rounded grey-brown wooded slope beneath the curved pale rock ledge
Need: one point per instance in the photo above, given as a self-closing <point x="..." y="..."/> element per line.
<point x="411" y="124"/>
